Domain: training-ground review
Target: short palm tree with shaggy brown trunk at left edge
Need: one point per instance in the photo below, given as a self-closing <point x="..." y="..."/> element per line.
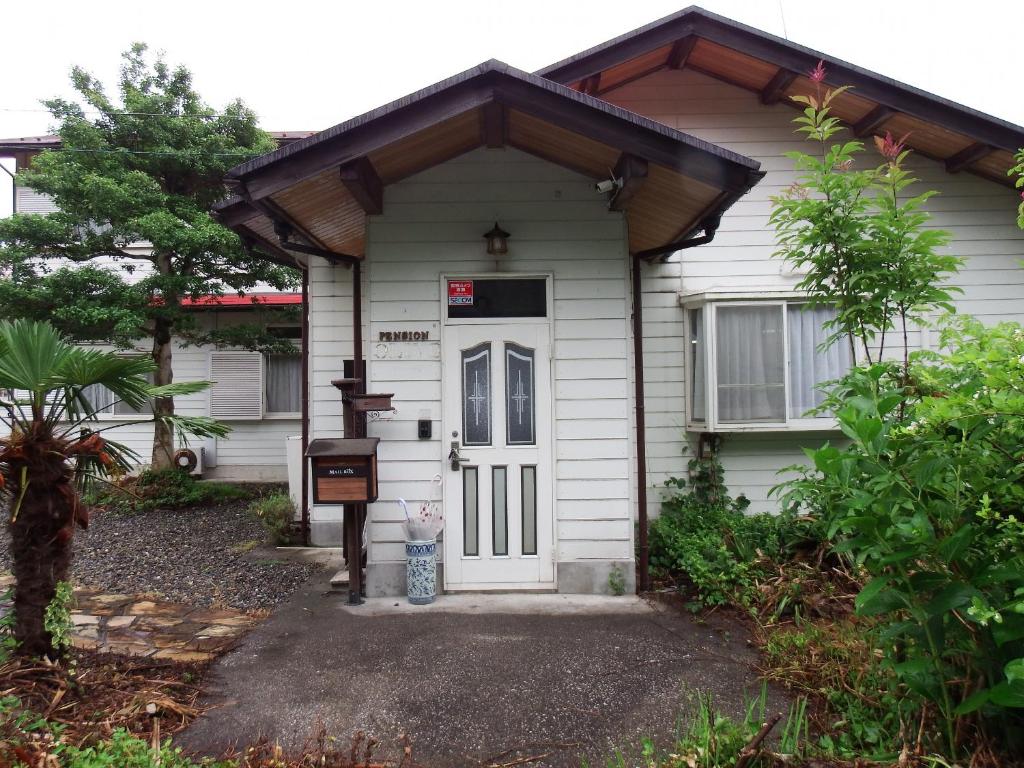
<point x="54" y="453"/>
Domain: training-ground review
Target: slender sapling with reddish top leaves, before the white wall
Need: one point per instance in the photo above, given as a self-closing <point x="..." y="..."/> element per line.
<point x="865" y="249"/>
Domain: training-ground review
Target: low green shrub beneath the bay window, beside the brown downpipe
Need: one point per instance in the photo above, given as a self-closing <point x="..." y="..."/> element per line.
<point x="705" y="537"/>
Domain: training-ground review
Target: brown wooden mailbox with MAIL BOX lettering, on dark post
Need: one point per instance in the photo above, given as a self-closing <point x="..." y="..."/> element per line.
<point x="345" y="471"/>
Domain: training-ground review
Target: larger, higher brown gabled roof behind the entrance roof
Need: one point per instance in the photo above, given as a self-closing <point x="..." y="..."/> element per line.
<point x="777" y="69"/>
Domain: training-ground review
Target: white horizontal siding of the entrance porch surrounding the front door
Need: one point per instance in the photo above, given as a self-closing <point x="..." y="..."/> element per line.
<point x="432" y="226"/>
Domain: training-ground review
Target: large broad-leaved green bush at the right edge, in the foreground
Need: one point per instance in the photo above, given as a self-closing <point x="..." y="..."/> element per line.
<point x="927" y="497"/>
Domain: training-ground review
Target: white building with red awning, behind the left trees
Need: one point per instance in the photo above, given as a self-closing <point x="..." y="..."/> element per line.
<point x="259" y="396"/>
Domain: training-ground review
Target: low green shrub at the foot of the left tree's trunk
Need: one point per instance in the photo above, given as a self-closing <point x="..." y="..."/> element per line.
<point x="169" y="489"/>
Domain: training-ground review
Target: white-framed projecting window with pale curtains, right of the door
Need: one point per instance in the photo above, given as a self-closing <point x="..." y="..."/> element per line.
<point x="760" y="365"/>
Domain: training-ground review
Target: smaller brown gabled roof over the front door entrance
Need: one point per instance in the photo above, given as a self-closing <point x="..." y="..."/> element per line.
<point x="321" y="189"/>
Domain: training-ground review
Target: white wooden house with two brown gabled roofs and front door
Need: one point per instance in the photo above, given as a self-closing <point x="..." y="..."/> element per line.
<point x="691" y="117"/>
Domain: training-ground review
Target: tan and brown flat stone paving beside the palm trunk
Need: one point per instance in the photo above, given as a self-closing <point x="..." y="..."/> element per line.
<point x="147" y="626"/>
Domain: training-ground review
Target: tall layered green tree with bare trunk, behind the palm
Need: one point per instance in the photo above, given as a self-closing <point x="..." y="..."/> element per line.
<point x="145" y="170"/>
